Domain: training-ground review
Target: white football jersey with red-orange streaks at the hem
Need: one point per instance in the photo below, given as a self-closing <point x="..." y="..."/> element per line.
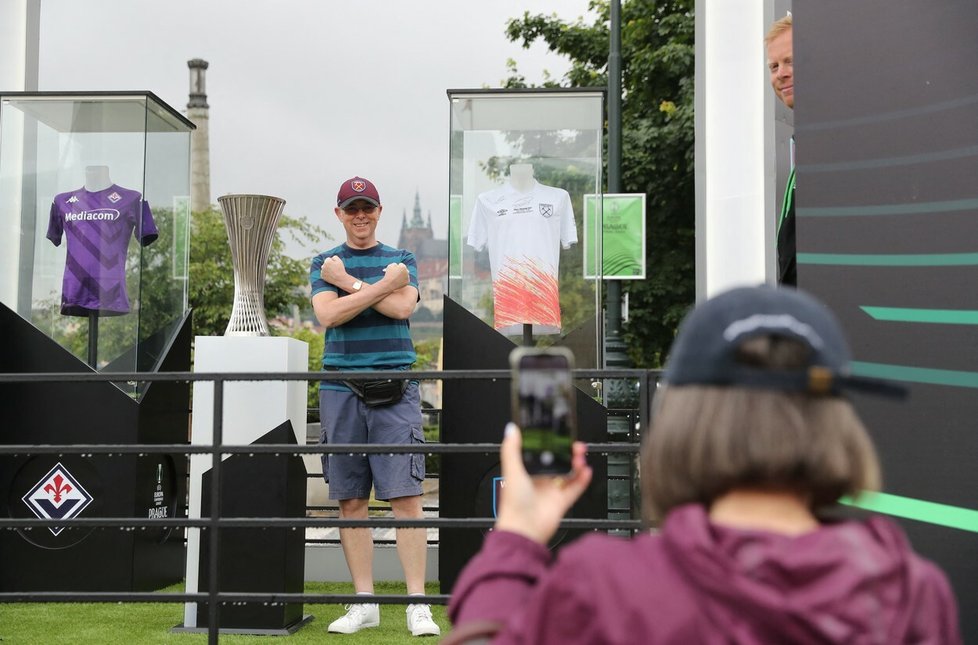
<point x="524" y="233"/>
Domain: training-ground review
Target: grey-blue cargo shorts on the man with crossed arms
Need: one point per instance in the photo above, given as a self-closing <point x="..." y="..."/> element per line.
<point x="345" y="419"/>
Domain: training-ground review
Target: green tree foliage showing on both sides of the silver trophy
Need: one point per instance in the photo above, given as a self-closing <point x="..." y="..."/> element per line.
<point x="211" y="282"/>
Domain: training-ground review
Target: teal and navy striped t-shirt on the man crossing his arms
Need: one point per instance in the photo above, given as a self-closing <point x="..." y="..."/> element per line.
<point x="371" y="340"/>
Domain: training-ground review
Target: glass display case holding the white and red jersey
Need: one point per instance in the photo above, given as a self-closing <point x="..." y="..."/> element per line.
<point x="521" y="162"/>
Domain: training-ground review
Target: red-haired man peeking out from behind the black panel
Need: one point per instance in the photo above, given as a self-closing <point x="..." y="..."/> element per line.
<point x="780" y="63"/>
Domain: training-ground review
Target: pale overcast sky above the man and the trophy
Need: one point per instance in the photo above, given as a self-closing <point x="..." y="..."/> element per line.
<point x="306" y="93"/>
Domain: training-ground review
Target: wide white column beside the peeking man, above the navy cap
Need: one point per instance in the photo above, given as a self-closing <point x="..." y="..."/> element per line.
<point x="734" y="184"/>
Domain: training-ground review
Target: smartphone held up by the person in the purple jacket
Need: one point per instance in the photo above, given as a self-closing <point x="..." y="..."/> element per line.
<point x="544" y="407"/>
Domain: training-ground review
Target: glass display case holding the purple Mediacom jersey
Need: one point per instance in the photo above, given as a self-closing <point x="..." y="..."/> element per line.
<point x="95" y="215"/>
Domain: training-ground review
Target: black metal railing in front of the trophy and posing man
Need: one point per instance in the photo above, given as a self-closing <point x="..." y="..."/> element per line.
<point x="646" y="382"/>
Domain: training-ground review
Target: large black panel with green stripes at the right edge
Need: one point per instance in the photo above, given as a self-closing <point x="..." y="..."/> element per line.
<point x="886" y="125"/>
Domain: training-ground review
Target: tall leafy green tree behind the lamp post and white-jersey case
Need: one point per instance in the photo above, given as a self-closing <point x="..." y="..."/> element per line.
<point x="657" y="53"/>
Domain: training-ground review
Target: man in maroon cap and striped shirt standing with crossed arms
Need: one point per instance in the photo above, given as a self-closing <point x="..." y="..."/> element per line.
<point x="363" y="292"/>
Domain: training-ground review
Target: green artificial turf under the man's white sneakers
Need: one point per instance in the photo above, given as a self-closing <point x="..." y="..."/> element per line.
<point x="150" y="623"/>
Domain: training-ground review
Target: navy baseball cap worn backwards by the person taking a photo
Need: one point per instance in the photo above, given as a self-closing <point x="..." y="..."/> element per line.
<point x="705" y="351"/>
